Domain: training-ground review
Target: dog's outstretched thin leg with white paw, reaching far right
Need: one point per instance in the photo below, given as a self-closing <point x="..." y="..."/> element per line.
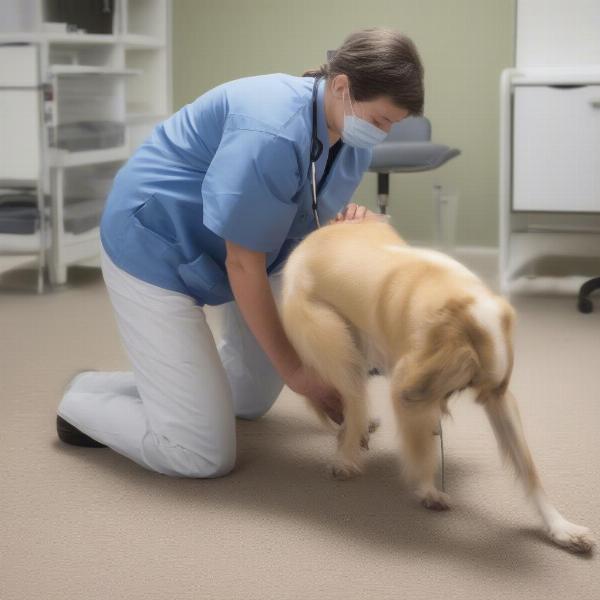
<point x="504" y="417"/>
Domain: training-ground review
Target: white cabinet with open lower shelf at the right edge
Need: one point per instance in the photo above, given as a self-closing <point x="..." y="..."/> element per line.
<point x="549" y="177"/>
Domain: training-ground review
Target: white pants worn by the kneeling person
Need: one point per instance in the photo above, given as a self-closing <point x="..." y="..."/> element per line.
<point x="175" y="413"/>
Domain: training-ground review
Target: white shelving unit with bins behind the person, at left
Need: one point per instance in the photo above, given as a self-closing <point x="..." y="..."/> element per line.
<point x="73" y="106"/>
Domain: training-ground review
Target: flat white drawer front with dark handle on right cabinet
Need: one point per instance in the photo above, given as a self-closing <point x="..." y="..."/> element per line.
<point x="556" y="149"/>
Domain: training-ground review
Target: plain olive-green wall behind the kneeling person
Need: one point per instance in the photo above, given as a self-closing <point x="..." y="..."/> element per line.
<point x="464" y="45"/>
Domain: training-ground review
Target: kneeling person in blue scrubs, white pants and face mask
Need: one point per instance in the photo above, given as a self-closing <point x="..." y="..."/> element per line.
<point x="205" y="212"/>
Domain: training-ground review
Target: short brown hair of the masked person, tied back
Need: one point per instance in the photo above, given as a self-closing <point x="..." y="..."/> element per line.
<point x="379" y="62"/>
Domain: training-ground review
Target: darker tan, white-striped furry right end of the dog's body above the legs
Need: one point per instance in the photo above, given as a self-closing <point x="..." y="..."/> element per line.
<point x="466" y="344"/>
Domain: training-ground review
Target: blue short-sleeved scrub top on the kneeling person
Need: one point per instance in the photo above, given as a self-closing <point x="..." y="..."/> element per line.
<point x="232" y="165"/>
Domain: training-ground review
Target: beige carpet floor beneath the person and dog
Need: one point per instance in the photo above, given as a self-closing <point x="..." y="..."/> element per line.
<point x="88" y="523"/>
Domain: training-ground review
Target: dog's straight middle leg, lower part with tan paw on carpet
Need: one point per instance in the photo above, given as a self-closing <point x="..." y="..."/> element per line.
<point x="420" y="461"/>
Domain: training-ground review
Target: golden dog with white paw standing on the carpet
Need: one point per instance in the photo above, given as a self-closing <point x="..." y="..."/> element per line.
<point x="436" y="329"/>
